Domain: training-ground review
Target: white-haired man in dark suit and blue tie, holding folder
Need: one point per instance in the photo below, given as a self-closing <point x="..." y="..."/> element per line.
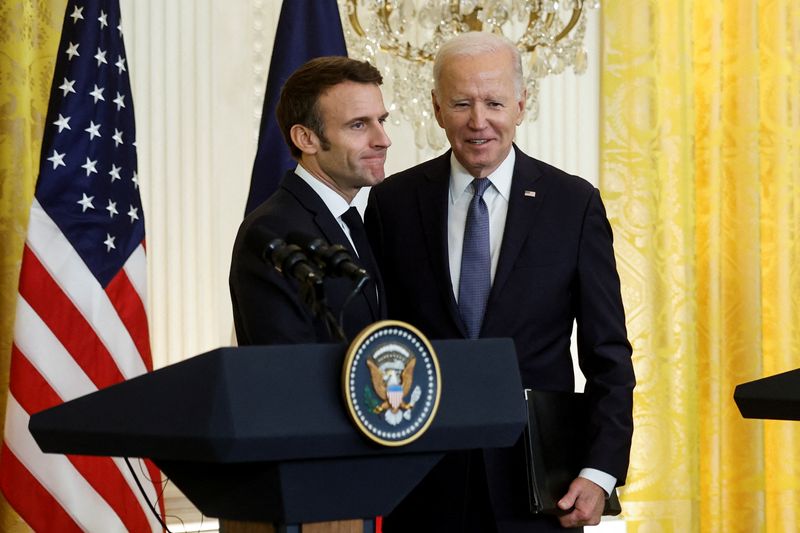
<point x="485" y="241"/>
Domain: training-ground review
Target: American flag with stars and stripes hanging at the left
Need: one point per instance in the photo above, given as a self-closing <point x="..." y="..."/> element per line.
<point x="81" y="323"/>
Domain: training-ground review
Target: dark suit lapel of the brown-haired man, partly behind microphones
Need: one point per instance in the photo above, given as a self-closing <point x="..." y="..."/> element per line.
<point x="330" y="229"/>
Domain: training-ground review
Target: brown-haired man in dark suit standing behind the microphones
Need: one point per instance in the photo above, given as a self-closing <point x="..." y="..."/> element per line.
<point x="332" y="115"/>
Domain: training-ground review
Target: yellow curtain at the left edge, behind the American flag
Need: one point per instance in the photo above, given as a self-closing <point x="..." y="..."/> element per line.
<point x="29" y="34"/>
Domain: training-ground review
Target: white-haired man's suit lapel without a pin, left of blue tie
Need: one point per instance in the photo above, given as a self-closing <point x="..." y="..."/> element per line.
<point x="433" y="199"/>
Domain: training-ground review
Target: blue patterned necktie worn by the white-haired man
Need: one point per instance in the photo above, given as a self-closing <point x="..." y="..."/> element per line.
<point x="476" y="262"/>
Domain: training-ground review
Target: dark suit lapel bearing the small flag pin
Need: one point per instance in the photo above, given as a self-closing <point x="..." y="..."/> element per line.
<point x="528" y="192"/>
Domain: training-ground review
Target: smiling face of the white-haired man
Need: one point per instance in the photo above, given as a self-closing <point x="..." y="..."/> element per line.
<point x="477" y="106"/>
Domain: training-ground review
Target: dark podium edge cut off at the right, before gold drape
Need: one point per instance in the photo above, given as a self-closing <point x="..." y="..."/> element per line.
<point x="774" y="397"/>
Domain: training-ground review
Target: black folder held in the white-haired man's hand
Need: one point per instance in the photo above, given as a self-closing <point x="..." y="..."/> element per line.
<point x="555" y="447"/>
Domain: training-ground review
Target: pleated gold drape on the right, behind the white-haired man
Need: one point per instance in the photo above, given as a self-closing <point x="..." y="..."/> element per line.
<point x="701" y="173"/>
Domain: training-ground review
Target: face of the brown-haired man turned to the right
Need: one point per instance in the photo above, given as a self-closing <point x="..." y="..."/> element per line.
<point x="353" y="115"/>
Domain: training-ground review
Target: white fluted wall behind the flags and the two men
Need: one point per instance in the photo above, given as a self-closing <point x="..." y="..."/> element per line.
<point x="198" y="71"/>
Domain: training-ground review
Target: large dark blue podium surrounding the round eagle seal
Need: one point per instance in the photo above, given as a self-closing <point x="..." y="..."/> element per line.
<point x="261" y="433"/>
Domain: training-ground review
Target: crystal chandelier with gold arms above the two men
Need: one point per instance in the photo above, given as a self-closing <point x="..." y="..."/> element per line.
<point x="401" y="37"/>
